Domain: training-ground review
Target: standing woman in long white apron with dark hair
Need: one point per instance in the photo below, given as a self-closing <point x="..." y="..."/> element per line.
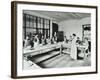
<point x="73" y="53"/>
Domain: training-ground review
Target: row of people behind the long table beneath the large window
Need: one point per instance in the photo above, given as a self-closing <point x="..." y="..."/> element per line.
<point x="35" y="41"/>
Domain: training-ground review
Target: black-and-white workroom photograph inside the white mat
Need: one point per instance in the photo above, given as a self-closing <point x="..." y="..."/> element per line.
<point x="56" y="39"/>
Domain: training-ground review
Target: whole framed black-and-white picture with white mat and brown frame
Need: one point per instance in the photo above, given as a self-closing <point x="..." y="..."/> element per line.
<point x="53" y="39"/>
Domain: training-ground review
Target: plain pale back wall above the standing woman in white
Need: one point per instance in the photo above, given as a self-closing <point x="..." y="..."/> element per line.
<point x="73" y="26"/>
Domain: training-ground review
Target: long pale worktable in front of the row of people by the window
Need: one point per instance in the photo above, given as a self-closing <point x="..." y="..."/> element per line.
<point x="41" y="49"/>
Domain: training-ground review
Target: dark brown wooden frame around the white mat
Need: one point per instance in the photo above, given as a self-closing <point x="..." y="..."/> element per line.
<point x="14" y="38"/>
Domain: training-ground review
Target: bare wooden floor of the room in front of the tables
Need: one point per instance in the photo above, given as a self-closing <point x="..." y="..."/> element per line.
<point x="56" y="60"/>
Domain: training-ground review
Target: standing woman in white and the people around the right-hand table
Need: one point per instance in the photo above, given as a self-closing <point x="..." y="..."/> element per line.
<point x="74" y="42"/>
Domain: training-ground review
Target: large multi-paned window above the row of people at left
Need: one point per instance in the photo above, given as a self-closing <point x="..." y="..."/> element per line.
<point x="33" y="25"/>
